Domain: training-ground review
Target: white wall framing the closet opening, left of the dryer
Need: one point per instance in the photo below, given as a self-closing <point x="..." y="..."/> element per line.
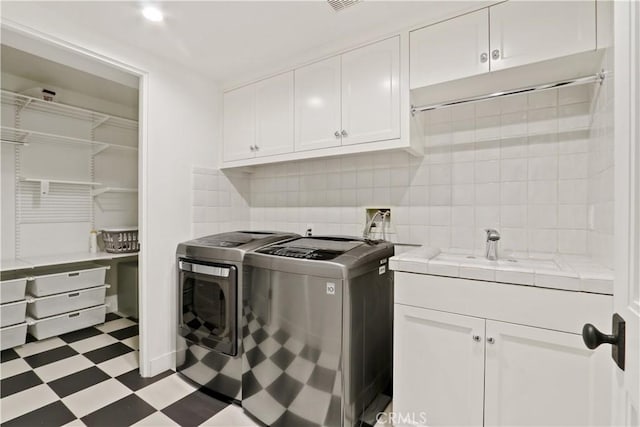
<point x="182" y="125"/>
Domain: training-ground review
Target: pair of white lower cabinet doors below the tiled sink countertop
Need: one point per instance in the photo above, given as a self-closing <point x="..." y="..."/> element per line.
<point x="453" y="369"/>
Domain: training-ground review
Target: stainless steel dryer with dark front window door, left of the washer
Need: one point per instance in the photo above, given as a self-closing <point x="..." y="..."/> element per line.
<point x="209" y="298"/>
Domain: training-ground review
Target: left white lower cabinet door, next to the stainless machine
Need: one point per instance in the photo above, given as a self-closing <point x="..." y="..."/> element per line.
<point x="438" y="368"/>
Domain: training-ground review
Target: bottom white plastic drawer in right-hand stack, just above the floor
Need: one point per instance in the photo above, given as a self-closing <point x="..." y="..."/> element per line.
<point x="63" y="323"/>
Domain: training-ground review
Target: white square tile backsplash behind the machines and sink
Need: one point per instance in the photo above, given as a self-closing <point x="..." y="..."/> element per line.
<point x="537" y="167"/>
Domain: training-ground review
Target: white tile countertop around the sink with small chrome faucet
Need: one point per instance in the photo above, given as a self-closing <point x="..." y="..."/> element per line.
<point x="565" y="272"/>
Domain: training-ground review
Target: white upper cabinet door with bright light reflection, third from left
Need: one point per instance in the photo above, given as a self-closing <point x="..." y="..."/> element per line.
<point x="317" y="100"/>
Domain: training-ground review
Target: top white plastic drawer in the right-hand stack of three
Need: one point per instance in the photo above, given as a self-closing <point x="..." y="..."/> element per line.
<point x="66" y="281"/>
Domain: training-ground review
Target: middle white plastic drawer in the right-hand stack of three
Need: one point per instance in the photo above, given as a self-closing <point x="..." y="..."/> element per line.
<point x="64" y="303"/>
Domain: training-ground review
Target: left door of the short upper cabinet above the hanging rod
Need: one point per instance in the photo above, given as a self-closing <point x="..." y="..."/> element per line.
<point x="450" y="50"/>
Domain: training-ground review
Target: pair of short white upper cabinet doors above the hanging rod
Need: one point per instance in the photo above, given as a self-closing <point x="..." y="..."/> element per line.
<point x="506" y="35"/>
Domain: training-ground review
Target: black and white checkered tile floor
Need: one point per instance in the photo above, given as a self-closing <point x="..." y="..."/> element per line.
<point x="90" y="377"/>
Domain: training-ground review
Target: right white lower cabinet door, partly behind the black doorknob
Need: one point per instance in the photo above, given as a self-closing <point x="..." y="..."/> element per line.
<point x="542" y="377"/>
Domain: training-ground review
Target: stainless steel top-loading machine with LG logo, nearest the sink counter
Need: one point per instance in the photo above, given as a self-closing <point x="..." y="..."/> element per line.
<point x="318" y="335"/>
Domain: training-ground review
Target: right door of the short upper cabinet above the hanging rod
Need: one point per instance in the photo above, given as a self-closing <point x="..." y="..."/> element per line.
<point x="531" y="31"/>
